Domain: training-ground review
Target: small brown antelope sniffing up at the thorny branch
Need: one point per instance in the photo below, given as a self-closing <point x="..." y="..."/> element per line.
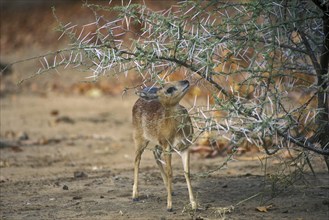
<point x="158" y="118"/>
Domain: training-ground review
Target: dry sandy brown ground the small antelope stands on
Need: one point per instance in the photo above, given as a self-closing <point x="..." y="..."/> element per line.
<point x="78" y="164"/>
